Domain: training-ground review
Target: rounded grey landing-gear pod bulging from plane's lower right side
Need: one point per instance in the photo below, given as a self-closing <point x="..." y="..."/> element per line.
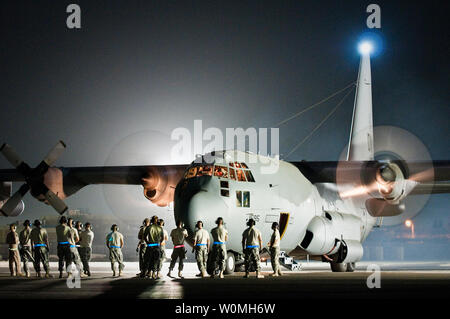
<point x="326" y="234"/>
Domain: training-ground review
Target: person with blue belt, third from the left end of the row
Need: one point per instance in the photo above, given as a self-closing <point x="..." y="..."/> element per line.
<point x="39" y="240"/>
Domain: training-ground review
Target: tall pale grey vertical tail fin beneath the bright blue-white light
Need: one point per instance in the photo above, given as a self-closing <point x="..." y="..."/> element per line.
<point x="360" y="146"/>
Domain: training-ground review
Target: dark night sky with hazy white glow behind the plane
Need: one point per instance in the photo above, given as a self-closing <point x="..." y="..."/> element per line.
<point x="136" y="67"/>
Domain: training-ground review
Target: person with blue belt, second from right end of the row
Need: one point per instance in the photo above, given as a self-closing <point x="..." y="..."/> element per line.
<point x="251" y="245"/>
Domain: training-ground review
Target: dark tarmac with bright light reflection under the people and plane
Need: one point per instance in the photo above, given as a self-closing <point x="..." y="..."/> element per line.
<point x="397" y="281"/>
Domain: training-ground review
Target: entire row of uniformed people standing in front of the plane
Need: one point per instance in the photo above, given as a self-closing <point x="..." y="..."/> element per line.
<point x="75" y="248"/>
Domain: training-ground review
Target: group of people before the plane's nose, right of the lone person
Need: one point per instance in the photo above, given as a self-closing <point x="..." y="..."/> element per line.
<point x="153" y="237"/>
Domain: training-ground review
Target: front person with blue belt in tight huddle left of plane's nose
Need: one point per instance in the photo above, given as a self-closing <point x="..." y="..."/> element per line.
<point x="153" y="236"/>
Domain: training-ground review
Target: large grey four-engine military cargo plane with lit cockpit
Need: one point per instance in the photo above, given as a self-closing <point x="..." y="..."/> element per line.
<point x="324" y="209"/>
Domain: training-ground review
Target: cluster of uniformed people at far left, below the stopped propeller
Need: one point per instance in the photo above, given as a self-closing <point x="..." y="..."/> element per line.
<point x="32" y="245"/>
